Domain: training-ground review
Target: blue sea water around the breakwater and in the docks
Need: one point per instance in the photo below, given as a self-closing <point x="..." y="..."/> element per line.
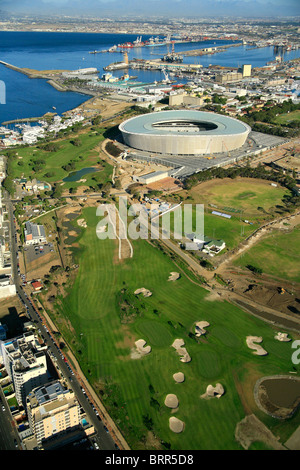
<point x="27" y="97"/>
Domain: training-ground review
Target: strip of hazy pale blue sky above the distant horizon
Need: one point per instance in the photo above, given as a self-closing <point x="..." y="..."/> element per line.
<point x="172" y="8"/>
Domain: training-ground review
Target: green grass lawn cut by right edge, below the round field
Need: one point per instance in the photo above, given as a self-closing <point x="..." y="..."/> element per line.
<point x="276" y="254"/>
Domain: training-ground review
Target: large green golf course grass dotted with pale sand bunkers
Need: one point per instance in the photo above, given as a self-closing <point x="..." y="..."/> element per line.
<point x="101" y="320"/>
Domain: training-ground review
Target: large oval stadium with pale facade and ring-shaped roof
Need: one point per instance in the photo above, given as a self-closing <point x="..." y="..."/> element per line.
<point x="184" y="132"/>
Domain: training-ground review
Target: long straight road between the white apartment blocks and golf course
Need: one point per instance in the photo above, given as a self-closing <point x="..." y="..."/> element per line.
<point x="102" y="437"/>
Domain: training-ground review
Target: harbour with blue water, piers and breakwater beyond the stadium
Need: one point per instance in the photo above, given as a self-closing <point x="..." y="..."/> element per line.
<point x="59" y="52"/>
